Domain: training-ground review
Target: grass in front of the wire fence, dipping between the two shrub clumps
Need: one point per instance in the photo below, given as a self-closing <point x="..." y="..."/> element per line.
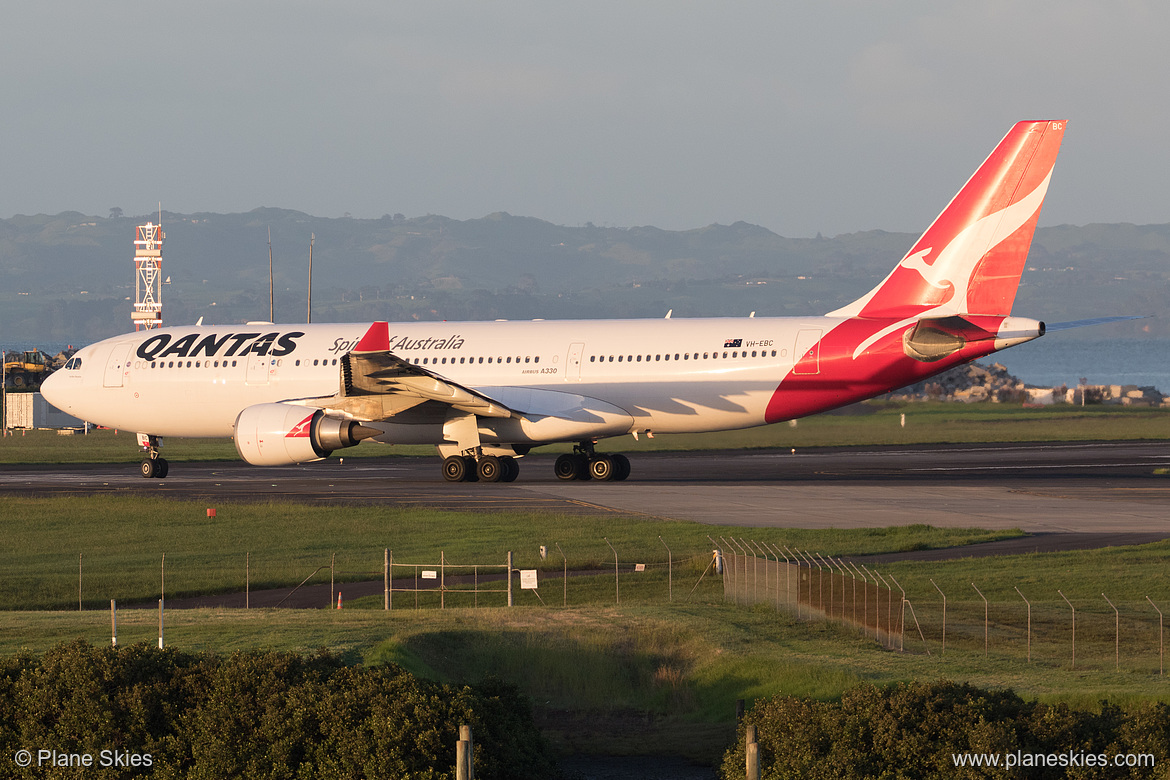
<point x="638" y="678"/>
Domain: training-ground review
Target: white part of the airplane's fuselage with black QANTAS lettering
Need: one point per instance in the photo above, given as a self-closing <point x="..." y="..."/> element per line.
<point x="669" y="376"/>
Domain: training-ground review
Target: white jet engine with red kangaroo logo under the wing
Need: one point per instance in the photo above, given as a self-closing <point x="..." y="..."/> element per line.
<point x="283" y="434"/>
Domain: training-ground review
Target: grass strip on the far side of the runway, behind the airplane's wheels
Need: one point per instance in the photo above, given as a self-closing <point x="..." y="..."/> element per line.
<point x="872" y="424"/>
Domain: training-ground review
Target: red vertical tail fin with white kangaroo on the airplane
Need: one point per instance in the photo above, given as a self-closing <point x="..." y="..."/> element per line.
<point x="972" y="258"/>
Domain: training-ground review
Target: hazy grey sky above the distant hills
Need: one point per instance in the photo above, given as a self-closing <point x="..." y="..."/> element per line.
<point x="827" y="116"/>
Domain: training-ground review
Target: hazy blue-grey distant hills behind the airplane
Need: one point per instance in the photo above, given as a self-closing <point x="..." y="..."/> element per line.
<point x="71" y="277"/>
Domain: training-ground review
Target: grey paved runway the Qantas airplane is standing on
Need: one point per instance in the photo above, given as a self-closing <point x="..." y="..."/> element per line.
<point x="1078" y="488"/>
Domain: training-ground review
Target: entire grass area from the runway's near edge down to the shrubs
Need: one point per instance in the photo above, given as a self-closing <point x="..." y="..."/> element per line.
<point x="604" y="677"/>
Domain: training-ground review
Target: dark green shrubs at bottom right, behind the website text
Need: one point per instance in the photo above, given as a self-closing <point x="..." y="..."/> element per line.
<point x="912" y="731"/>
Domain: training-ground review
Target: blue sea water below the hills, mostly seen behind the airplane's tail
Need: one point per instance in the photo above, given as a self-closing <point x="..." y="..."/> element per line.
<point x="1049" y="362"/>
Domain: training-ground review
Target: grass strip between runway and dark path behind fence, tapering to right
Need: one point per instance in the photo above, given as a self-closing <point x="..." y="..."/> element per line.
<point x="121" y="543"/>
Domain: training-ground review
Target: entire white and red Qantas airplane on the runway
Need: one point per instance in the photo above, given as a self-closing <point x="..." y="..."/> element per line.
<point x="487" y="394"/>
